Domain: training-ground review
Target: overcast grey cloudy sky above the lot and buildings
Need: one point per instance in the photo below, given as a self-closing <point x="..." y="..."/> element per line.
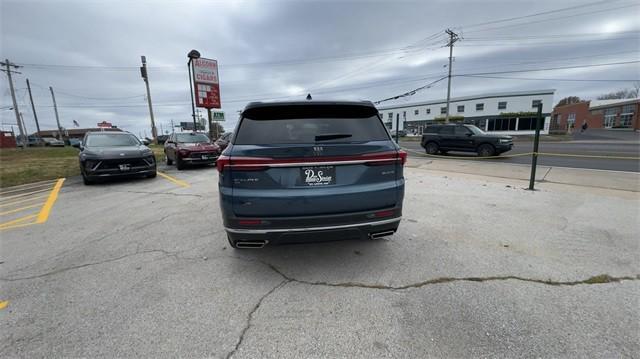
<point x="89" y="51"/>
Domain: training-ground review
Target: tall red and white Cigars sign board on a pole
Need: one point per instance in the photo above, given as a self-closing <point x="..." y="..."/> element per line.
<point x="206" y="84"/>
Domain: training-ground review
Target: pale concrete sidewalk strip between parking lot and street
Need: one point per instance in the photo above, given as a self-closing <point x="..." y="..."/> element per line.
<point x="616" y="180"/>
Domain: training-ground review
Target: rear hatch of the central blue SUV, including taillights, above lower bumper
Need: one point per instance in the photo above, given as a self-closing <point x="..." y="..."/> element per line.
<point x="312" y="159"/>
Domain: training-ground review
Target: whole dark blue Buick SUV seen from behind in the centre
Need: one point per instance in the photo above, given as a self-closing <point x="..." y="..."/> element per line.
<point x="306" y="171"/>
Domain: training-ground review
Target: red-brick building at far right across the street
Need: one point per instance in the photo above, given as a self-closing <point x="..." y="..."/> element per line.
<point x="619" y="114"/>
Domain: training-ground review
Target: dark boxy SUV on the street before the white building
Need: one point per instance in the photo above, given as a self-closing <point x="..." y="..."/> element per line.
<point x="464" y="138"/>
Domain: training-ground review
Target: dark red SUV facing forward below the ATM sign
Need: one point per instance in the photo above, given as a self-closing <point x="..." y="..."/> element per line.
<point x="190" y="148"/>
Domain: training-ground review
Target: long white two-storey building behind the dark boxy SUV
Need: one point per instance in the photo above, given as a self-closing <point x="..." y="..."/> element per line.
<point x="500" y="113"/>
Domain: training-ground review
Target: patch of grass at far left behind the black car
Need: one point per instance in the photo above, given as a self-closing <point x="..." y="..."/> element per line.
<point x="18" y="166"/>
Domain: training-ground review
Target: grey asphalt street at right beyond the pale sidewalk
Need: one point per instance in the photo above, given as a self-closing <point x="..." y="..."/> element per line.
<point x="582" y="147"/>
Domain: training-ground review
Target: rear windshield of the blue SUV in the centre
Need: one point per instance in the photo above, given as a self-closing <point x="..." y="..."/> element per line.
<point x="310" y="130"/>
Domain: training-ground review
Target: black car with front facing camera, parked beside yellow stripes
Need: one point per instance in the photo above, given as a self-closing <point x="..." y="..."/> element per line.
<point x="114" y="154"/>
